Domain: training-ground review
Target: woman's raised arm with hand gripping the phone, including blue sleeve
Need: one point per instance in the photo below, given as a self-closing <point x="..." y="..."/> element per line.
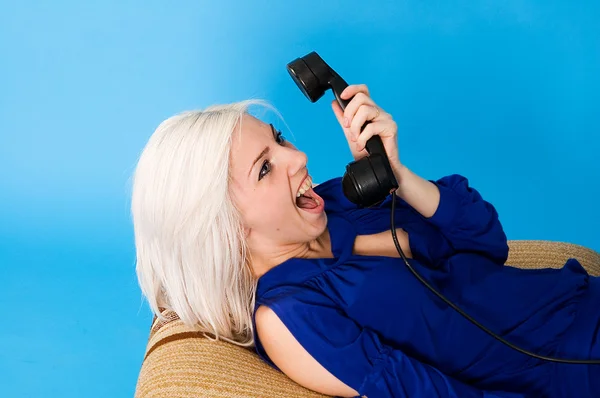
<point x="464" y="219"/>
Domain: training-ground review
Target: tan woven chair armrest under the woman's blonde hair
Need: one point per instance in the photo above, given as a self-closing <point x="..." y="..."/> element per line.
<point x="183" y="363"/>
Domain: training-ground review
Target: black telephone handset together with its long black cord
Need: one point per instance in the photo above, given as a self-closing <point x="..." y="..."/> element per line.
<point x="369" y="180"/>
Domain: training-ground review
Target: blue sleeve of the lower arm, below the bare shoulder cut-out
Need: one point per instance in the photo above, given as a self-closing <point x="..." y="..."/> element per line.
<point x="358" y="358"/>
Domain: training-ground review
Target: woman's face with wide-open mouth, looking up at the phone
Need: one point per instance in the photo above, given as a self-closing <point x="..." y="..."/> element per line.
<point x="267" y="174"/>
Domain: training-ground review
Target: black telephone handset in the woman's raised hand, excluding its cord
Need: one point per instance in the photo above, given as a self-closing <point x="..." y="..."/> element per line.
<point x="369" y="180"/>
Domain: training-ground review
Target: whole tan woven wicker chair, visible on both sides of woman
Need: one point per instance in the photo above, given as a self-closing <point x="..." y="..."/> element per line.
<point x="180" y="363"/>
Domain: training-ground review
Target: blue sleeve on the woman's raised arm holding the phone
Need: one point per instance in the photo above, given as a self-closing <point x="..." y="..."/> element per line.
<point x="463" y="222"/>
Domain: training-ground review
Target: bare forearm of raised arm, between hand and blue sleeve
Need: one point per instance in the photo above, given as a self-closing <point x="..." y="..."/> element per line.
<point x="419" y="193"/>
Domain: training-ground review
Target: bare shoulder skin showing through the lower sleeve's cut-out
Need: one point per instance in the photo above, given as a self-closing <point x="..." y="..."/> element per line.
<point x="292" y="359"/>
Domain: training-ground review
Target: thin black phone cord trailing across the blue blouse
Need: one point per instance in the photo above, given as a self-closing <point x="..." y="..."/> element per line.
<point x="494" y="335"/>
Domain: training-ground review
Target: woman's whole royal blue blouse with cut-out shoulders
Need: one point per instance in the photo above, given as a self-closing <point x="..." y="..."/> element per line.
<point x="375" y="327"/>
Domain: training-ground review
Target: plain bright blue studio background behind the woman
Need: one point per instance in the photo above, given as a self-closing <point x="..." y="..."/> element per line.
<point x="506" y="93"/>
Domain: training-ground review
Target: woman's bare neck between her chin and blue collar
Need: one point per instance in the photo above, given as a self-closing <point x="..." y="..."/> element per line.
<point x="269" y="255"/>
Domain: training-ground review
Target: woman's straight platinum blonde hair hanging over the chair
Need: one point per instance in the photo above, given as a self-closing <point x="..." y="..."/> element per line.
<point x="191" y="256"/>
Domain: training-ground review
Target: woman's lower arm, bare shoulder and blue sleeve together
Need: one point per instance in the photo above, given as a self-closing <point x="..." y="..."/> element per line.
<point x="333" y="356"/>
